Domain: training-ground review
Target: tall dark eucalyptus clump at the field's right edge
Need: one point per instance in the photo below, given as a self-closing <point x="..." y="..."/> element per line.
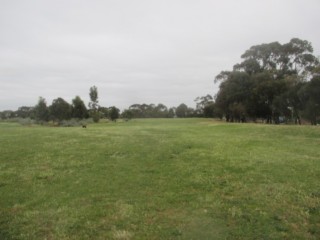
<point x="274" y="82"/>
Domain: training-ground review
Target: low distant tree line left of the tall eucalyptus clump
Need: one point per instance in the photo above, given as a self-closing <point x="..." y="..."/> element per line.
<point x="61" y="110"/>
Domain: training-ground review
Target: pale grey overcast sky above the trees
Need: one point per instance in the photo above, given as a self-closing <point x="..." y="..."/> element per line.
<point x="136" y="51"/>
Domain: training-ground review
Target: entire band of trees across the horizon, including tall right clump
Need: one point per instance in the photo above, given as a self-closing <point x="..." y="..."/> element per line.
<point x="274" y="82"/>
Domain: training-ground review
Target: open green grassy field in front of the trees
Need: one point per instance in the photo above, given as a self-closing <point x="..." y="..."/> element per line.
<point x="160" y="179"/>
